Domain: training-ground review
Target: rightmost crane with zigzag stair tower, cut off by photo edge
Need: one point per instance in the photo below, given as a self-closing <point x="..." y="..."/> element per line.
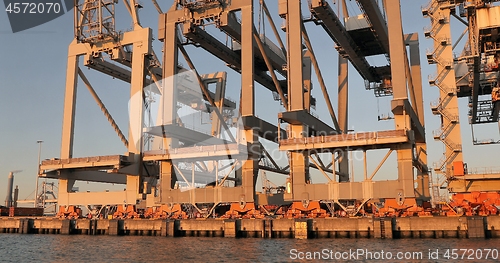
<point x="473" y="75"/>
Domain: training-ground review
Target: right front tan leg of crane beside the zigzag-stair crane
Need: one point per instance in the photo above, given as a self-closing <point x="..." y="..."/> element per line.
<point x="400" y="92"/>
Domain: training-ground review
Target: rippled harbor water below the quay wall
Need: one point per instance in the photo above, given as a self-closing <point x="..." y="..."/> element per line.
<point x="80" y="248"/>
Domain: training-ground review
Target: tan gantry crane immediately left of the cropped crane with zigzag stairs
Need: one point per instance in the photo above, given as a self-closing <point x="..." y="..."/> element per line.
<point x="362" y="36"/>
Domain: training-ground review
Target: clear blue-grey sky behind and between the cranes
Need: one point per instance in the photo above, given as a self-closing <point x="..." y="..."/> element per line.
<point x="32" y="84"/>
